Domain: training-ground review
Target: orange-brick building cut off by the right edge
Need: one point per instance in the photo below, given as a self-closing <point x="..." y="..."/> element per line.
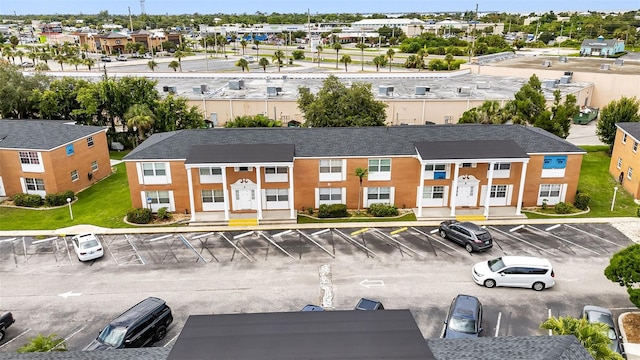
<point x="625" y="157"/>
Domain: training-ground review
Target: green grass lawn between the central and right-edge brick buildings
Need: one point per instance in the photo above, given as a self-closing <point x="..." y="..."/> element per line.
<point x="596" y="181"/>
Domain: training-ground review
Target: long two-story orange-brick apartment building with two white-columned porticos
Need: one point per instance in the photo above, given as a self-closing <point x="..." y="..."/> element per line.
<point x="271" y="173"/>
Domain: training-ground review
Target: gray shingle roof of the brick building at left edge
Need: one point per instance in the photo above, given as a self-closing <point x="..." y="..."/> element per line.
<point x="41" y="134"/>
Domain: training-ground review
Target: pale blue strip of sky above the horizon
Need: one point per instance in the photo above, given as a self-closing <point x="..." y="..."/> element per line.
<point x="22" y="7"/>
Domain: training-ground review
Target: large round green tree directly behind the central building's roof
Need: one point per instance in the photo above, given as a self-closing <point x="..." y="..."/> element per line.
<point x="335" y="105"/>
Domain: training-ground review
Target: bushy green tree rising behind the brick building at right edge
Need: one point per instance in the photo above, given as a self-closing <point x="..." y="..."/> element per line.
<point x="623" y="110"/>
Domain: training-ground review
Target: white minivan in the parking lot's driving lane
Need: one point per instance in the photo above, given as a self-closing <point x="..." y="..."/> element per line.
<point x="514" y="271"/>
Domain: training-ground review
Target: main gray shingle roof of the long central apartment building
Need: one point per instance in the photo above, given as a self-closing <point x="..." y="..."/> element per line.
<point x="342" y="142"/>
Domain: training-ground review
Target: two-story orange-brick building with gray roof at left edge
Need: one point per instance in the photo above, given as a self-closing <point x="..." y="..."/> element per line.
<point x="47" y="156"/>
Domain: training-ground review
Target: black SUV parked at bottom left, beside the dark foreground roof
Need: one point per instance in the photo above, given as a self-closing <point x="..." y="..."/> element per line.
<point x="140" y="326"/>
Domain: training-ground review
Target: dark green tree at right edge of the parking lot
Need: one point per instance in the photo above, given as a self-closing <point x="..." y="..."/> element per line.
<point x="624" y="268"/>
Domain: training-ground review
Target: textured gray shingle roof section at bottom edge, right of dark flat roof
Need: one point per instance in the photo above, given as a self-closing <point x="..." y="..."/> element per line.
<point x="564" y="347"/>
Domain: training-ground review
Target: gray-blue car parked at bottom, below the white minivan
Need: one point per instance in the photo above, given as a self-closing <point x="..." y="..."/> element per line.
<point x="464" y="319"/>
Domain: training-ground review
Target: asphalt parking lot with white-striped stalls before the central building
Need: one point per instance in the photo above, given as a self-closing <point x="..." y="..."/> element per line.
<point x="282" y="270"/>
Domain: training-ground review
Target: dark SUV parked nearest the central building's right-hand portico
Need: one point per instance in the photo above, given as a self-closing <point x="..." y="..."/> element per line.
<point x="467" y="234"/>
